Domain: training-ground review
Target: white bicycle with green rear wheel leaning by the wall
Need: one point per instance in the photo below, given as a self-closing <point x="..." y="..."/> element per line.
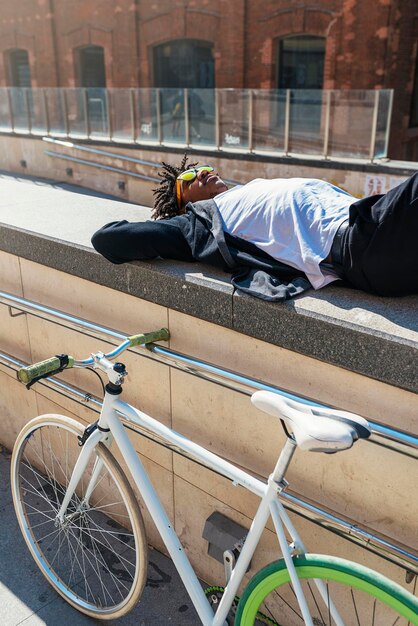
<point x="83" y="525"/>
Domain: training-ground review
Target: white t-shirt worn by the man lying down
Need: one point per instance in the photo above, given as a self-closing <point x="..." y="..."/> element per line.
<point x="294" y="220"/>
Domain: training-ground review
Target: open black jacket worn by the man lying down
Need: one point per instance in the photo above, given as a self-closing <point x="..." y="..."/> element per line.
<point x="198" y="236"/>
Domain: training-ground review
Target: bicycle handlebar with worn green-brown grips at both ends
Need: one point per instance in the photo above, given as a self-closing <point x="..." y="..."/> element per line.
<point x="32" y="373"/>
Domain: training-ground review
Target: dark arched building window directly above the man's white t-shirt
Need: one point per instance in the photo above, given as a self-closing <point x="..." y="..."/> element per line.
<point x="301" y="62"/>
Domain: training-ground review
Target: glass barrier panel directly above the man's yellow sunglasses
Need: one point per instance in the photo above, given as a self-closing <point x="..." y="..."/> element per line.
<point x="202" y="117"/>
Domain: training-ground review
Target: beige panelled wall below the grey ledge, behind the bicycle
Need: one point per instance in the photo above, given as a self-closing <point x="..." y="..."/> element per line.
<point x="369" y="483"/>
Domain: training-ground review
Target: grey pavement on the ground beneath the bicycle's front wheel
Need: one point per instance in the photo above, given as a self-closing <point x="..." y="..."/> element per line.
<point x="26" y="598"/>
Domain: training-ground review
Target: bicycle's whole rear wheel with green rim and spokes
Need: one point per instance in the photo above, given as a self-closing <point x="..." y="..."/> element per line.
<point x="360" y="595"/>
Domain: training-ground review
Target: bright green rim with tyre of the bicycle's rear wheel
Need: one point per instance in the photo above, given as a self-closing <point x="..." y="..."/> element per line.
<point x="323" y="567"/>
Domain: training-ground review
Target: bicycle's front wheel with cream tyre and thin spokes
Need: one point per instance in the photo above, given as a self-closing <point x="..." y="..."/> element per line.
<point x="97" y="558"/>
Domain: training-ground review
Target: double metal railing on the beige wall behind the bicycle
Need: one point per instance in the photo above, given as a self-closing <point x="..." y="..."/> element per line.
<point x="394" y="439"/>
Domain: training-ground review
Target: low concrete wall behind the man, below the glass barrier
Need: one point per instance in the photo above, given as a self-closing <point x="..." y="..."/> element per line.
<point x="358" y="180"/>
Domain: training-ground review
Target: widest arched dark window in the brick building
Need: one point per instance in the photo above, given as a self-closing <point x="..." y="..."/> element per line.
<point x="180" y="64"/>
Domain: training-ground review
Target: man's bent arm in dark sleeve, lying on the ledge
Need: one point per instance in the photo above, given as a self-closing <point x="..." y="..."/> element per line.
<point x="120" y="242"/>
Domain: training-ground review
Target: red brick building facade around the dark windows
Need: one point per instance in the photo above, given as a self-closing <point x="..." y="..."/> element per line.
<point x="369" y="43"/>
